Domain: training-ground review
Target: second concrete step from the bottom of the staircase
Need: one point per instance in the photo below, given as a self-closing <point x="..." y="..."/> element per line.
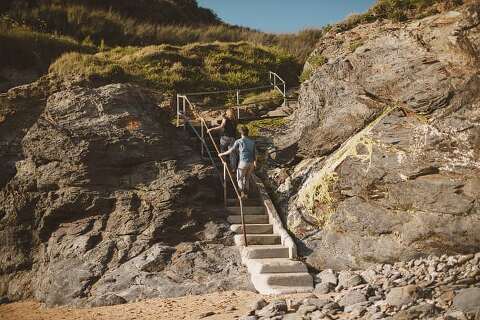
<point x="276" y="265"/>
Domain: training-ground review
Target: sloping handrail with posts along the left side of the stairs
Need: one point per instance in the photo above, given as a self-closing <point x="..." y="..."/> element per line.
<point x="226" y="171"/>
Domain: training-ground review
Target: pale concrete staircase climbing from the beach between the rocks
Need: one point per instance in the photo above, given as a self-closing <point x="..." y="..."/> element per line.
<point x="270" y="262"/>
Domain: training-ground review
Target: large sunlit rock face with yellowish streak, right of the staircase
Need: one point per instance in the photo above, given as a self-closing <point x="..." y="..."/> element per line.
<point x="388" y="133"/>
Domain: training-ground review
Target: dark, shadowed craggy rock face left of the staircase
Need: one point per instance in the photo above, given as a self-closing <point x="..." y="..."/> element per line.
<point x="102" y="201"/>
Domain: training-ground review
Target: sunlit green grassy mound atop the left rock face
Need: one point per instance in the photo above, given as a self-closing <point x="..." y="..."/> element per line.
<point x="181" y="68"/>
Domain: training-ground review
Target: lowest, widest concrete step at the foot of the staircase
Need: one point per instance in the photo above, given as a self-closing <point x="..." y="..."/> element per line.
<point x="282" y="283"/>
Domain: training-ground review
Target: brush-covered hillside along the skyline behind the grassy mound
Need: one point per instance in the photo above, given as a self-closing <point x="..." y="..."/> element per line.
<point x="148" y="22"/>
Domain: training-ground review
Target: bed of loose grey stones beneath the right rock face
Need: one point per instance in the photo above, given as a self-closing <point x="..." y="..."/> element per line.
<point x="430" y="287"/>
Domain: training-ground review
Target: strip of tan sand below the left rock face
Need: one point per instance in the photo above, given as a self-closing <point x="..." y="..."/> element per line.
<point x="225" y="305"/>
